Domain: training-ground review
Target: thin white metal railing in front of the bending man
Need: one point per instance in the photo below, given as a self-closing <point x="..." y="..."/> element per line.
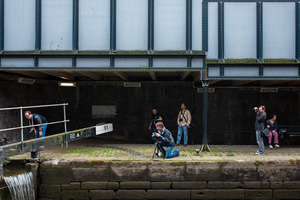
<point x="22" y="127"/>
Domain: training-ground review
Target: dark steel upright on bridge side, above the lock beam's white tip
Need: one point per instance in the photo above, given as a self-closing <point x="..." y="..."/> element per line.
<point x="112" y="25"/>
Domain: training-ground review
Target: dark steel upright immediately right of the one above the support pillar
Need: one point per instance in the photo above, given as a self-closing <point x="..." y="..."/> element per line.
<point x="221" y="29"/>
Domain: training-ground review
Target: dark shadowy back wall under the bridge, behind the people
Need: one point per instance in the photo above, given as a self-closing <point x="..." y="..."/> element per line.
<point x="229" y="110"/>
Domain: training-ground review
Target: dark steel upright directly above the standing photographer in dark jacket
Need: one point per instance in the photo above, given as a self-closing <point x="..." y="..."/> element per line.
<point x="259" y="27"/>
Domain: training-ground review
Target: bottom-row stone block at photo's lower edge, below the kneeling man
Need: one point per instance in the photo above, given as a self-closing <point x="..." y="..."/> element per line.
<point x="168" y="194"/>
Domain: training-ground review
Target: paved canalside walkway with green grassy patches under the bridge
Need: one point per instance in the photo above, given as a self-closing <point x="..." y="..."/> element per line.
<point x="99" y="149"/>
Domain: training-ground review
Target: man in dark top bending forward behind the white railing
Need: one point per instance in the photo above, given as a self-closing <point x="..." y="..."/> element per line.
<point x="34" y="119"/>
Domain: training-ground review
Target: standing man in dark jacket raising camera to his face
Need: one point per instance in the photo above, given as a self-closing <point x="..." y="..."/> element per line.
<point x="259" y="126"/>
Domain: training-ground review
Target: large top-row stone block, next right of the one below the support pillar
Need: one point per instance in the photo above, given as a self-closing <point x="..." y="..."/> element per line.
<point x="239" y="171"/>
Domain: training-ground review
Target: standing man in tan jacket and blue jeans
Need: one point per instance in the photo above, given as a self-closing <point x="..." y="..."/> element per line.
<point x="183" y="120"/>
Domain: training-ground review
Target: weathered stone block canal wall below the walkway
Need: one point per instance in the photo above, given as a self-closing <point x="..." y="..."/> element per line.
<point x="169" y="180"/>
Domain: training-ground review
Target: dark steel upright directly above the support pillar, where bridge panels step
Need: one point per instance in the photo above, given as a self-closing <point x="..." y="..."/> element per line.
<point x="205" y="25"/>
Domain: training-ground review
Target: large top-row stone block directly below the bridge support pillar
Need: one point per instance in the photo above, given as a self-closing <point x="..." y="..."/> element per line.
<point x="204" y="171"/>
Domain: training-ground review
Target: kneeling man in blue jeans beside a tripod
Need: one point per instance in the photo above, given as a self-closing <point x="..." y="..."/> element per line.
<point x="165" y="138"/>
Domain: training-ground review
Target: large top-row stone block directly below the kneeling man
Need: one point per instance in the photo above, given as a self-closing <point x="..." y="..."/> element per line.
<point x="166" y="171"/>
